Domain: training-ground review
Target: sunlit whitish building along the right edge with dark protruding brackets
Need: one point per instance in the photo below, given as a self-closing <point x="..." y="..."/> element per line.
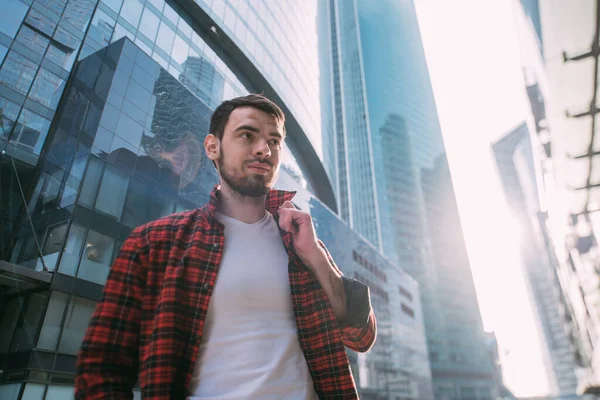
<point x="558" y="50"/>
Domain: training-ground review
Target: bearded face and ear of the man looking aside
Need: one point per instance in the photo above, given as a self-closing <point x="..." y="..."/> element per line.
<point x="248" y="154"/>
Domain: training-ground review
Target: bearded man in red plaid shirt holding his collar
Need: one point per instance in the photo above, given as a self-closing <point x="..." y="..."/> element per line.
<point x="235" y="300"/>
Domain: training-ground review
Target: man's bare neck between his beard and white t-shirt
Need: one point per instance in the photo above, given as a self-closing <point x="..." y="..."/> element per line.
<point x="243" y="208"/>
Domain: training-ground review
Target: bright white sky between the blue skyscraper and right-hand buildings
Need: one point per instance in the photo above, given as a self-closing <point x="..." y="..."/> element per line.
<point x="474" y="62"/>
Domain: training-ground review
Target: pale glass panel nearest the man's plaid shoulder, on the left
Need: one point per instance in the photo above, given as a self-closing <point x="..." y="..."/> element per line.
<point x="97" y="257"/>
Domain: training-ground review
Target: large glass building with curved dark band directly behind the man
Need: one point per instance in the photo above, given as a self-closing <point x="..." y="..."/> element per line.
<point x="103" y="109"/>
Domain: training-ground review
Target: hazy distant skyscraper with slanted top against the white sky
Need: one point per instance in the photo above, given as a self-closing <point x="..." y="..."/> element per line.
<point x="515" y="161"/>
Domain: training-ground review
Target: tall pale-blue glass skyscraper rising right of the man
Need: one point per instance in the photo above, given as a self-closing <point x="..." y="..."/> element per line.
<point x="385" y="126"/>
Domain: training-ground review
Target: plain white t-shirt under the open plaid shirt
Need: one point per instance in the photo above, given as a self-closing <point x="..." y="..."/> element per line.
<point x="250" y="347"/>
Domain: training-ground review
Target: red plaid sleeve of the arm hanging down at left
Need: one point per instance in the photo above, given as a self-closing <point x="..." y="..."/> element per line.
<point x="107" y="363"/>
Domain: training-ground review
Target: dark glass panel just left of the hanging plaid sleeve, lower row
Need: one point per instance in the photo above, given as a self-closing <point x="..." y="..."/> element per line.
<point x="78" y="317"/>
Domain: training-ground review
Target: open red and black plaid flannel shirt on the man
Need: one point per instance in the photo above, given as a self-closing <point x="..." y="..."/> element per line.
<point x="152" y="313"/>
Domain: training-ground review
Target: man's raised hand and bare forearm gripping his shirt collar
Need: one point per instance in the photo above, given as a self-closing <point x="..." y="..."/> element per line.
<point x="306" y="246"/>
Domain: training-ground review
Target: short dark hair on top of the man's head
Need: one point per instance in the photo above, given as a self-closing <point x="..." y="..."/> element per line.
<point x="221" y="114"/>
